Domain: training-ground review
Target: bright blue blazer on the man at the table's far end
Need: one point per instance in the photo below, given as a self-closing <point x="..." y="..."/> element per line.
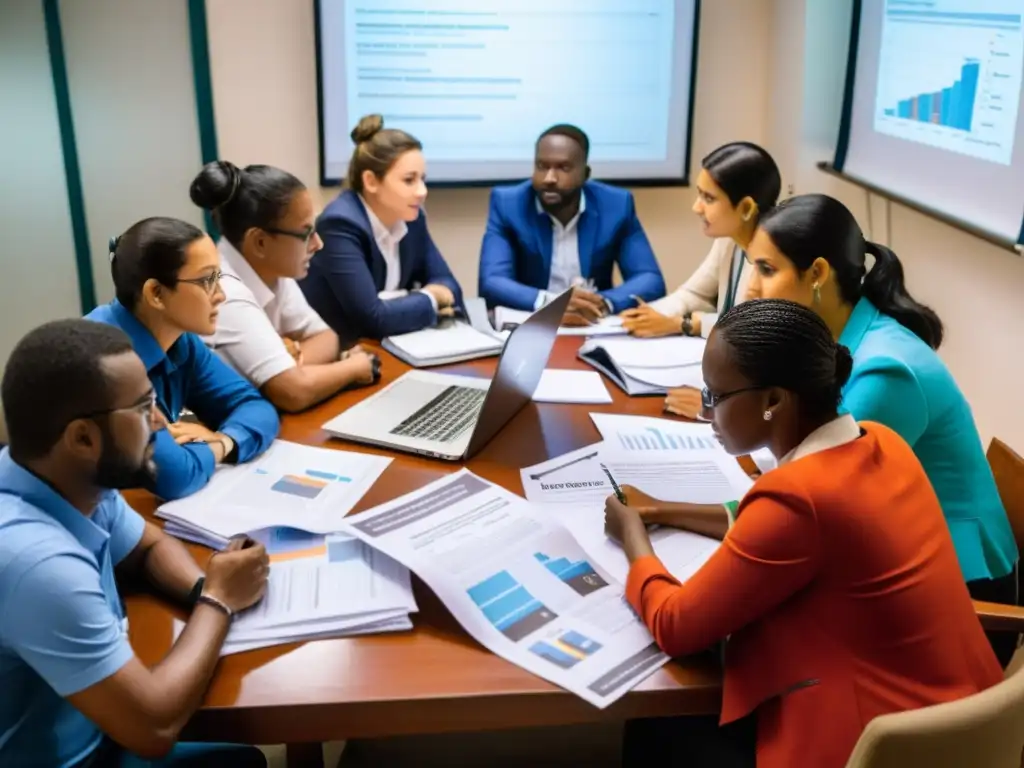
<point x="516" y="258"/>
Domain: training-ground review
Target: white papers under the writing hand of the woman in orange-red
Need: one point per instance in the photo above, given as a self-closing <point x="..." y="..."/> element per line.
<point x="574" y="489"/>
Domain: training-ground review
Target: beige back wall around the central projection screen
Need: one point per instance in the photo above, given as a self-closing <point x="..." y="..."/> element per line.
<point x="264" y="70"/>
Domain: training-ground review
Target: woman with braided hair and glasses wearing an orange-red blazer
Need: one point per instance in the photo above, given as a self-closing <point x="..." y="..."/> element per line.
<point x="837" y="586"/>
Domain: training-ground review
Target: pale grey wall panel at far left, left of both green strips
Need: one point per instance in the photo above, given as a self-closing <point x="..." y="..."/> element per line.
<point x="39" y="281"/>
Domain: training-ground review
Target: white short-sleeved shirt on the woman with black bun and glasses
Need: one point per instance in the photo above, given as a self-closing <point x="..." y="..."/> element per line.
<point x="254" y="317"/>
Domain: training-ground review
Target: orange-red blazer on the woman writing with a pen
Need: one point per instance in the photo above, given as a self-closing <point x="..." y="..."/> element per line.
<point x="840" y="587"/>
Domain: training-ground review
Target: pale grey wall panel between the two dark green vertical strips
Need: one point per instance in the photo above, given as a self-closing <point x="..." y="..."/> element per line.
<point x="134" y="101"/>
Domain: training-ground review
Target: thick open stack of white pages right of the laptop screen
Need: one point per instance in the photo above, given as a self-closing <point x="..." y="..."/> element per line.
<point x="648" y="366"/>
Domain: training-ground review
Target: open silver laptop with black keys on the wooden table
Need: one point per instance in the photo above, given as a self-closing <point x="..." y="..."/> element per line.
<point x="453" y="417"/>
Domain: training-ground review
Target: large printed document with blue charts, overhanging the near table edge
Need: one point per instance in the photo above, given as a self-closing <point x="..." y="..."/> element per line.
<point x="519" y="583"/>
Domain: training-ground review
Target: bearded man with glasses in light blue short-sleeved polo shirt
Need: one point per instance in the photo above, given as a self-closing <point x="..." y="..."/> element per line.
<point x="81" y="414"/>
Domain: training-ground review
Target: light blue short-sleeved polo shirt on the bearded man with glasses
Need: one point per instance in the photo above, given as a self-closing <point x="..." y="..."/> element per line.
<point x="63" y="627"/>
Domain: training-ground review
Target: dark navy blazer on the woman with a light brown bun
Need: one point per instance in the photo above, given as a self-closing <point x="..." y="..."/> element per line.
<point x="347" y="276"/>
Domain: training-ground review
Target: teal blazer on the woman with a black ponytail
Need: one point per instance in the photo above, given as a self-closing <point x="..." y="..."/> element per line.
<point x="901" y="381"/>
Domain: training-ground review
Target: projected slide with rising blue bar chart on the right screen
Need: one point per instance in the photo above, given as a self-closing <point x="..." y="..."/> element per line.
<point x="950" y="75"/>
